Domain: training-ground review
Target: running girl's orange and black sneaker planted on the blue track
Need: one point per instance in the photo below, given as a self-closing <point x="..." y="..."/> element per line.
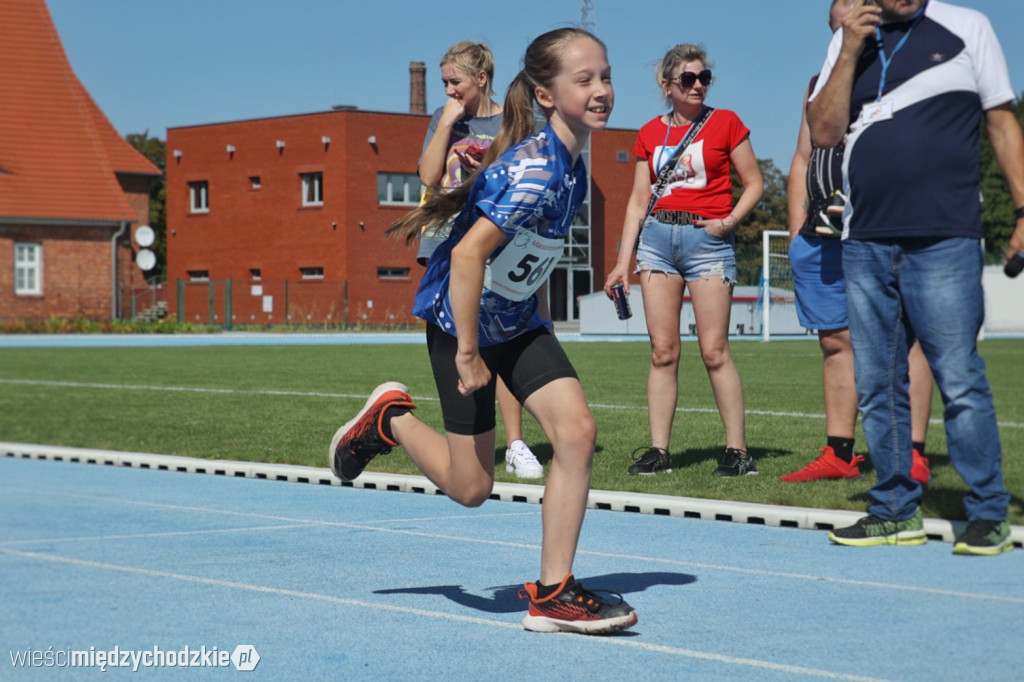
<point x="573" y="609"/>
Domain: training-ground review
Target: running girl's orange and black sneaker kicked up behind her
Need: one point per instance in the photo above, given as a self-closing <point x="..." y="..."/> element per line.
<point x="363" y="438"/>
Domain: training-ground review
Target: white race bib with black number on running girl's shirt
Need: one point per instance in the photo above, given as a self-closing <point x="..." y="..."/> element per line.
<point x="525" y="265"/>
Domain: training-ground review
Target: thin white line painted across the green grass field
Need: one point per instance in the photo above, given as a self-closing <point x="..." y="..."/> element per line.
<point x="318" y="395"/>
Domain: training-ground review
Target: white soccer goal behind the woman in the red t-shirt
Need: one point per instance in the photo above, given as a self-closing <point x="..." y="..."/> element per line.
<point x="776" y="292"/>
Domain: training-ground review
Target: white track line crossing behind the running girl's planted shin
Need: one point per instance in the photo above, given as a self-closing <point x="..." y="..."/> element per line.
<point x="527" y="546"/>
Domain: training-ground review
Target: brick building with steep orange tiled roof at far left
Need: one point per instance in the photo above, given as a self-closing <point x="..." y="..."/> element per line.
<point x="72" y="190"/>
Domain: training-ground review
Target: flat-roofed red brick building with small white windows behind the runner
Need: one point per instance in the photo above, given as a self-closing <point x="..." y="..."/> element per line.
<point x="282" y="221"/>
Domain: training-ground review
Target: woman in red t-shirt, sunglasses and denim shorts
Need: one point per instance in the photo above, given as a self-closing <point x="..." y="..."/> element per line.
<point x="689" y="242"/>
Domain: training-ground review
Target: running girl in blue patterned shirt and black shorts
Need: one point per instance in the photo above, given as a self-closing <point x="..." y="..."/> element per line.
<point x="480" y="300"/>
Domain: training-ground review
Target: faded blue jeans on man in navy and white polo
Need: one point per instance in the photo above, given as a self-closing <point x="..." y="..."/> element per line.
<point x="899" y="290"/>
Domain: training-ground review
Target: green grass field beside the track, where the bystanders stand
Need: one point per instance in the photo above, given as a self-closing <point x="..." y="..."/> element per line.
<point x="282" y="404"/>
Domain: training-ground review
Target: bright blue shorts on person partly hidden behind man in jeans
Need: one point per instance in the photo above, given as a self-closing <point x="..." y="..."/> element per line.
<point x="819" y="283"/>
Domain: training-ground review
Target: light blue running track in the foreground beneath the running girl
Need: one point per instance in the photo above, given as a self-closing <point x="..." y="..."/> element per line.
<point x="326" y="582"/>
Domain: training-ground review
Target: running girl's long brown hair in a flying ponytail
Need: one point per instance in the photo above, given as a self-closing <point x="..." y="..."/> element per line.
<point x="541" y="65"/>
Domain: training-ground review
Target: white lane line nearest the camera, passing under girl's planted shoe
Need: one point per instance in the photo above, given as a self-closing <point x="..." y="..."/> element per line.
<point x="379" y="607"/>
